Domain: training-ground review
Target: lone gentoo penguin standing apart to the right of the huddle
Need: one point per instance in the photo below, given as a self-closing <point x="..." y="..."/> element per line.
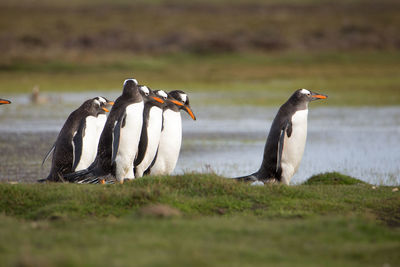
<point x="286" y="140"/>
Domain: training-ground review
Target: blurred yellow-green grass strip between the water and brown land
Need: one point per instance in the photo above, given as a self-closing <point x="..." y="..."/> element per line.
<point x="362" y="78"/>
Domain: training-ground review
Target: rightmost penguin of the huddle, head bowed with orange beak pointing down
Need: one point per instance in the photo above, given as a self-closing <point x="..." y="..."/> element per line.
<point x="171" y="134"/>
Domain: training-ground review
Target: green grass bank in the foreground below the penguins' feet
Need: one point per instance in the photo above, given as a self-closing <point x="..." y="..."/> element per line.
<point x="215" y="221"/>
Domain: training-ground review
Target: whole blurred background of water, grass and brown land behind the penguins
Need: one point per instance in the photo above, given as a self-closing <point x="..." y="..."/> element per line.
<point x="238" y="61"/>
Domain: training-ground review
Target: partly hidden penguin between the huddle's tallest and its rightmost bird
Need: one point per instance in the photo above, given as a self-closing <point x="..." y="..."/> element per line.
<point x="151" y="129"/>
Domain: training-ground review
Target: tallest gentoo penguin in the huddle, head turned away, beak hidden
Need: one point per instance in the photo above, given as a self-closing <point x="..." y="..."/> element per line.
<point x="119" y="140"/>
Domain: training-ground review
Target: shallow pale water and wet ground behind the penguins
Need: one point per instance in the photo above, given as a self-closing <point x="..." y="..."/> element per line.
<point x="363" y="142"/>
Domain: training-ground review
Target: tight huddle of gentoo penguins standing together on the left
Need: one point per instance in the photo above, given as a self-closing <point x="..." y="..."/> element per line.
<point x="141" y="135"/>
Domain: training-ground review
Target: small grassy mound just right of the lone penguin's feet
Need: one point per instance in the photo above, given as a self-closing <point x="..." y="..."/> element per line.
<point x="332" y="178"/>
